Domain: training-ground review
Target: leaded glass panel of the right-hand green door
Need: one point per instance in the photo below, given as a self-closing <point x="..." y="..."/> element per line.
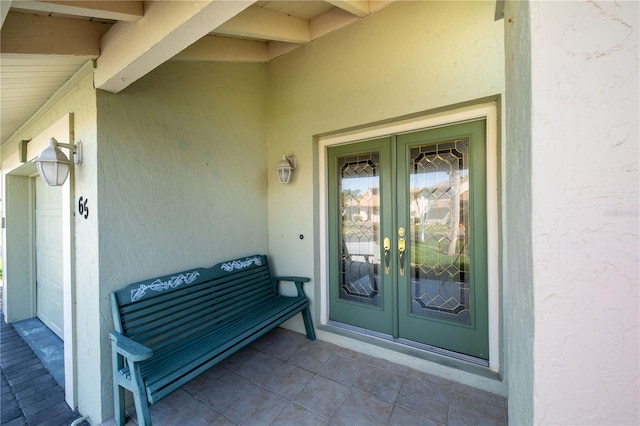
<point x="439" y="237"/>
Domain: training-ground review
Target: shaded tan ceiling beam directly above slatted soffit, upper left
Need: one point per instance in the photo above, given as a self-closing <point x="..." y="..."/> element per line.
<point x="47" y="35"/>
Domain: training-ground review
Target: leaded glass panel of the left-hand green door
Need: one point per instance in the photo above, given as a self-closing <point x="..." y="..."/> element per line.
<point x="359" y="227"/>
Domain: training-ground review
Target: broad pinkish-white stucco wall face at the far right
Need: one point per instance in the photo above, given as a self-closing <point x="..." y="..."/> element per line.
<point x="584" y="193"/>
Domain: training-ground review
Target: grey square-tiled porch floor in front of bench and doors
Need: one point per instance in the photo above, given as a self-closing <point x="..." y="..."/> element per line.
<point x="285" y="379"/>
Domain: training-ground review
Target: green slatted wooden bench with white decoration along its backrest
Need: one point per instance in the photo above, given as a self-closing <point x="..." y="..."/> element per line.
<point x="170" y="329"/>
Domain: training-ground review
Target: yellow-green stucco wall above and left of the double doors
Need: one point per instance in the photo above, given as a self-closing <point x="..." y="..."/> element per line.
<point x="405" y="59"/>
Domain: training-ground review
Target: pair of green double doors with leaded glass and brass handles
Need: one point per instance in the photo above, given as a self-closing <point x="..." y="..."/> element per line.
<point x="407" y="237"/>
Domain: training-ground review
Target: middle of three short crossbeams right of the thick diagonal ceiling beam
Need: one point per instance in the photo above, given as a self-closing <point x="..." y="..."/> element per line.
<point x="264" y="24"/>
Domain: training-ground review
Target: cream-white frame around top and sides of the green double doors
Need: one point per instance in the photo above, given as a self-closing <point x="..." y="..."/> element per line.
<point x="487" y="110"/>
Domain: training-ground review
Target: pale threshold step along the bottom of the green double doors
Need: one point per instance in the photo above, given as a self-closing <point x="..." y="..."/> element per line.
<point x="419" y="350"/>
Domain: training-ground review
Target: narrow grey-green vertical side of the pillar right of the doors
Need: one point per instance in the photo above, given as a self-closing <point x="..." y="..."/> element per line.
<point x="517" y="251"/>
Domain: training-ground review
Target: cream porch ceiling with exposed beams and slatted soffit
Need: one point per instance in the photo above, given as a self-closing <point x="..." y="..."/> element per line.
<point x="44" y="43"/>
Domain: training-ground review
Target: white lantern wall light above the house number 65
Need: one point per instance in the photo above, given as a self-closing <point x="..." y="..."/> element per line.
<point x="53" y="165"/>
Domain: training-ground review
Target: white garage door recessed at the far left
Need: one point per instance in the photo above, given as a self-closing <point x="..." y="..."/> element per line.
<point x="49" y="256"/>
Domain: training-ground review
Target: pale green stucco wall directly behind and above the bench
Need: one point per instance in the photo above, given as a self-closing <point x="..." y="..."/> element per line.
<point x="182" y="176"/>
